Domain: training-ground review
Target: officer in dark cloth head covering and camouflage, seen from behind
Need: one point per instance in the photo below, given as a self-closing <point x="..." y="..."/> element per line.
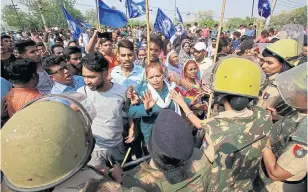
<point x="175" y="164"/>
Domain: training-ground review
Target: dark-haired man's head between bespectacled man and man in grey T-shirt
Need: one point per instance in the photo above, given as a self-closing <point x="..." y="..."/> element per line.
<point x="73" y="57"/>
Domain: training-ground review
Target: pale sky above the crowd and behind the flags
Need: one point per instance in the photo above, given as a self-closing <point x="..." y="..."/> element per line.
<point x="234" y="8"/>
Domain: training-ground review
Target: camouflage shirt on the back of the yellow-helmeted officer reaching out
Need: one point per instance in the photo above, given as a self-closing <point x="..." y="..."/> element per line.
<point x="234" y="145"/>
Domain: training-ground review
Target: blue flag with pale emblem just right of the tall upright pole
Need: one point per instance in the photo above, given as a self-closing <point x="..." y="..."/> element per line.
<point x="164" y="24"/>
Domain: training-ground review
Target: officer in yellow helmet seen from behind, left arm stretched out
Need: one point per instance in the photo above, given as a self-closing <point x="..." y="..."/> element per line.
<point x="234" y="139"/>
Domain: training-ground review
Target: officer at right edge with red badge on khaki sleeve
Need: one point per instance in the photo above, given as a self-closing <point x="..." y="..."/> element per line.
<point x="285" y="155"/>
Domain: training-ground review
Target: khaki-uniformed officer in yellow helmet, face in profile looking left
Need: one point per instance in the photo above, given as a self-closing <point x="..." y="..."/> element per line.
<point x="276" y="60"/>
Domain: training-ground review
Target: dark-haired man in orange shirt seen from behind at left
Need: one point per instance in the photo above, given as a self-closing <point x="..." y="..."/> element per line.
<point x="23" y="75"/>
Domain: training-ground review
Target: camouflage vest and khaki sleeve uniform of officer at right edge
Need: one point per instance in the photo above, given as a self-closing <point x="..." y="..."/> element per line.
<point x="289" y="135"/>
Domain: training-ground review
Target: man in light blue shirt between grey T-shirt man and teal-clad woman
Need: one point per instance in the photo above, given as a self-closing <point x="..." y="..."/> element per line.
<point x="127" y="73"/>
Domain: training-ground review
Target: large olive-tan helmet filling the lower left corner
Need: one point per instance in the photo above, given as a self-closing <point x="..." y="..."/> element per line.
<point x="43" y="145"/>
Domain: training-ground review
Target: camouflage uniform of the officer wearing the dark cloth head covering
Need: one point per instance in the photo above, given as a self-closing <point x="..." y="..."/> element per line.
<point x="151" y="179"/>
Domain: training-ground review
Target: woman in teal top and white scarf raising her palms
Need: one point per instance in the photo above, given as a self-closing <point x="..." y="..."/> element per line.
<point x="155" y="94"/>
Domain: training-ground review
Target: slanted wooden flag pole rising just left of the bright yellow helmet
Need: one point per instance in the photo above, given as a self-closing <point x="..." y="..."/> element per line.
<point x="208" y="115"/>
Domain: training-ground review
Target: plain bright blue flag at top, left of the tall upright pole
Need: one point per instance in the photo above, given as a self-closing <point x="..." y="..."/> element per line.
<point x="111" y="17"/>
